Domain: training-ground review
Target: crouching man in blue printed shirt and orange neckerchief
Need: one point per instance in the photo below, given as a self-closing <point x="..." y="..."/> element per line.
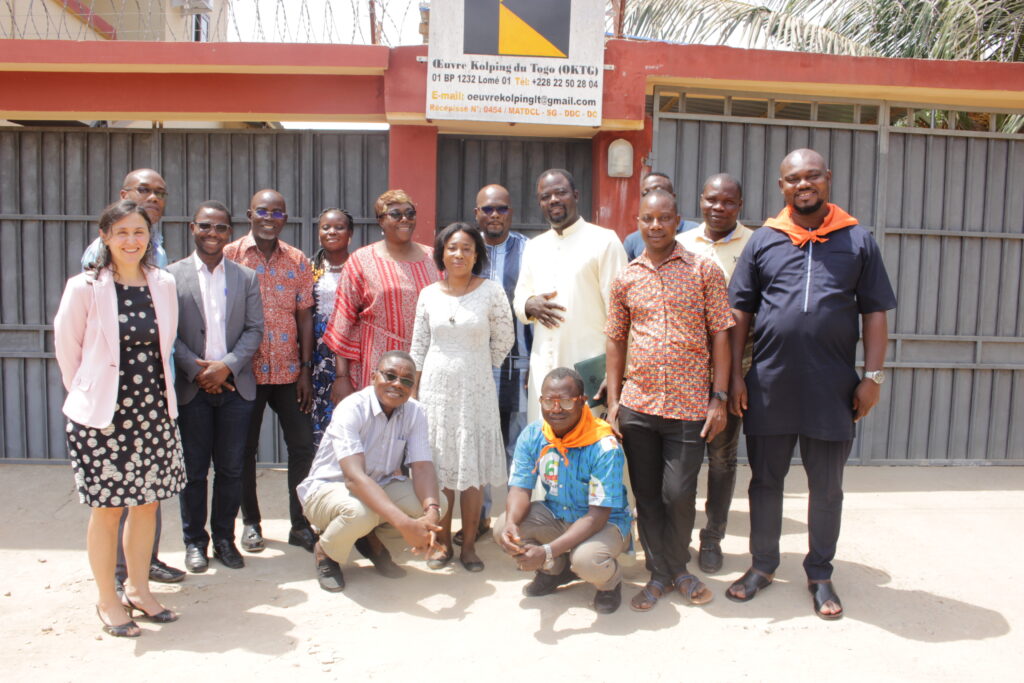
<point x="583" y="524"/>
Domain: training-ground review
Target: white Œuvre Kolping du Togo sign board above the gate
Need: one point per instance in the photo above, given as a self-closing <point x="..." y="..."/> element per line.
<point x="517" y="61"/>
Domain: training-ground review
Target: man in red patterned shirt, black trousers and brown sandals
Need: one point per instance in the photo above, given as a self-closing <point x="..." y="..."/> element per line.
<point x="676" y="306"/>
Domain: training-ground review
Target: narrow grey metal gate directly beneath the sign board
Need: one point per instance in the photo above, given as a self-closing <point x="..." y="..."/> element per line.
<point x="466" y="163"/>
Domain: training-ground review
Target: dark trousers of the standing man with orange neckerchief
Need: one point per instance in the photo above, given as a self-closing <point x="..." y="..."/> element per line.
<point x="824" y="462"/>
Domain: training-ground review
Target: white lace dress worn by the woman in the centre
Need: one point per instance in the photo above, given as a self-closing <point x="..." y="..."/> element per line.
<point x="456" y="343"/>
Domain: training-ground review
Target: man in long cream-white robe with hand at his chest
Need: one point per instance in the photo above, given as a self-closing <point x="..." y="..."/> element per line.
<point x="565" y="281"/>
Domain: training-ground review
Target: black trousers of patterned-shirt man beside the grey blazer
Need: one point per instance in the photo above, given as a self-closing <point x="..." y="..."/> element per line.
<point x="297" y="429"/>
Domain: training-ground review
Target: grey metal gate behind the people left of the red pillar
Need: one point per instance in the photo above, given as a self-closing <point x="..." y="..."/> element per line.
<point x="54" y="184"/>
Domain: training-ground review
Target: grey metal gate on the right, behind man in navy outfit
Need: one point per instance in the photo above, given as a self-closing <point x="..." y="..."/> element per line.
<point x="947" y="208"/>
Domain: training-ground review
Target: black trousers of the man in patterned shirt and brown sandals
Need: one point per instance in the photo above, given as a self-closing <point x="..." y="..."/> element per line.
<point x="665" y="458"/>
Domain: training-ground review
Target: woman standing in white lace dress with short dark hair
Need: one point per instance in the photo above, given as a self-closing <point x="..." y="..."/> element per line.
<point x="463" y="330"/>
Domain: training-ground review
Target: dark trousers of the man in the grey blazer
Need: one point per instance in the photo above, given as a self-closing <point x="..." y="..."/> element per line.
<point x="214" y="431"/>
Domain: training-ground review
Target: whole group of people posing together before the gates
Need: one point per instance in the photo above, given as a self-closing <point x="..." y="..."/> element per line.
<point x="404" y="374"/>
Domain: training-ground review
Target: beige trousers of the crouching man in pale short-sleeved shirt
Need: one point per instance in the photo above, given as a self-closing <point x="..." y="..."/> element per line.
<point x="344" y="520"/>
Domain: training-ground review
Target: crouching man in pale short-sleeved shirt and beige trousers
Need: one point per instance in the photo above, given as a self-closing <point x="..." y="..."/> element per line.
<point x="356" y="484"/>
